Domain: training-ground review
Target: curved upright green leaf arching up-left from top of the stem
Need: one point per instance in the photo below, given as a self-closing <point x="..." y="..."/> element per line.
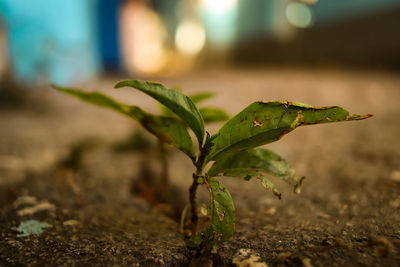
<point x="179" y="103"/>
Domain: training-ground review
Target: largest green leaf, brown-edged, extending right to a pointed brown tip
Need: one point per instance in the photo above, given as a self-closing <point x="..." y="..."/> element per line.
<point x="265" y="122"/>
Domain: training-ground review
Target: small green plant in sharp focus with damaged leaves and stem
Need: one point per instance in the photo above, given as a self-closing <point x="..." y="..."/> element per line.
<point x="231" y="150"/>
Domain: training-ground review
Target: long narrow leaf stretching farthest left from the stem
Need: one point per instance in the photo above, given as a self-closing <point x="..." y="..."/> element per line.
<point x="167" y="129"/>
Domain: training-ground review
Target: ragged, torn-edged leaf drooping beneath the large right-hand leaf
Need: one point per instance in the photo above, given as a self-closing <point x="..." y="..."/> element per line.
<point x="255" y="162"/>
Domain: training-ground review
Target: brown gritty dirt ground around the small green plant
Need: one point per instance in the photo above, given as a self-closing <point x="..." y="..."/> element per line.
<point x="95" y="212"/>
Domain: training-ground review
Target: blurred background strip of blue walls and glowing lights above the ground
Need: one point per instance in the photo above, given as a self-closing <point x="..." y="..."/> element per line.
<point x="67" y="42"/>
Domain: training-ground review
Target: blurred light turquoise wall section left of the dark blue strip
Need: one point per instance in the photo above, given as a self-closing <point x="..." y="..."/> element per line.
<point x="52" y="40"/>
